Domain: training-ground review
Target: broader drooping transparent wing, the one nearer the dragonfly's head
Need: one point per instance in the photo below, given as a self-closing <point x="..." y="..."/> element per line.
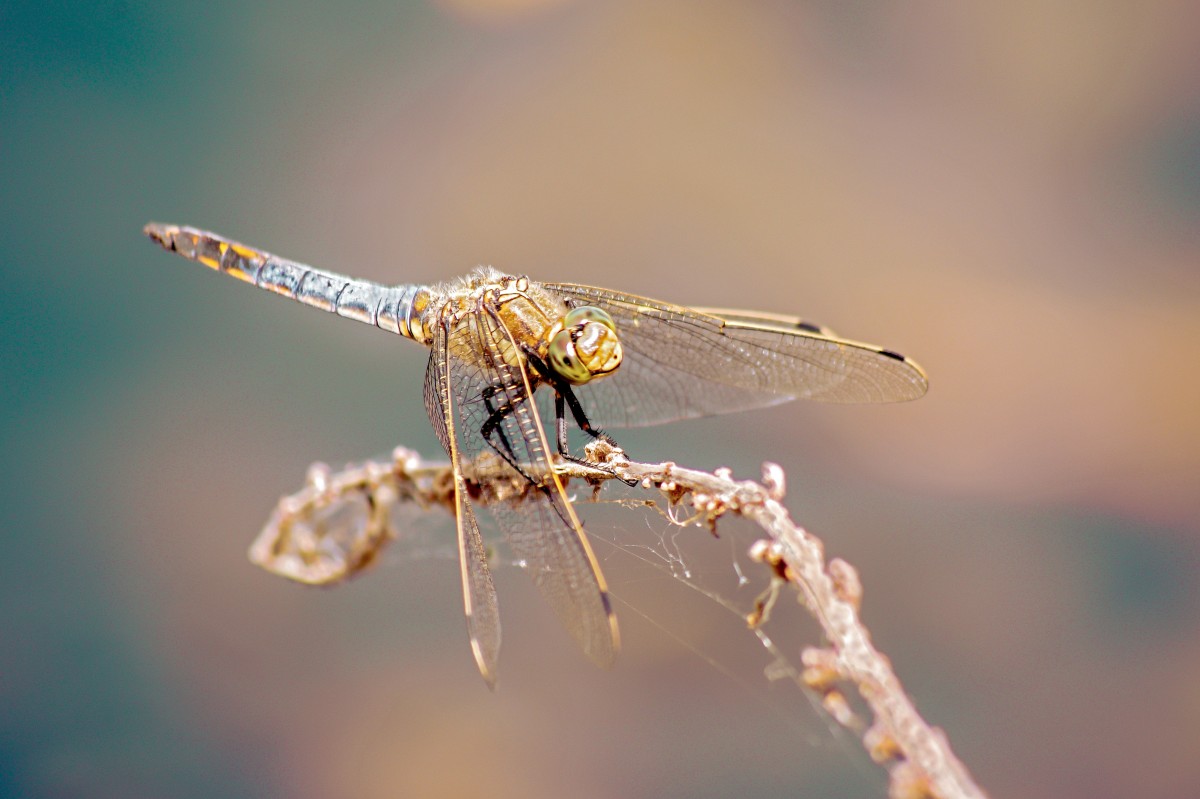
<point x="541" y="526"/>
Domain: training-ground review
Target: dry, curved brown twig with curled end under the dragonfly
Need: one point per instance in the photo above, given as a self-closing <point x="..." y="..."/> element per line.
<point x="338" y="525"/>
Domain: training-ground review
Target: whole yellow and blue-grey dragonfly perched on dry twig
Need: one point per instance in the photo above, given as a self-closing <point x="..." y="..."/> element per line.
<point x="608" y="359"/>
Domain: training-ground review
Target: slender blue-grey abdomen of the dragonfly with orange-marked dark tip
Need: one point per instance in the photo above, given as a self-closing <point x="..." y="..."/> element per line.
<point x="397" y="309"/>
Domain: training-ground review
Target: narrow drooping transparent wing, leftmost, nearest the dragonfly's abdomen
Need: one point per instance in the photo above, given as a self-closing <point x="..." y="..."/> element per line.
<point x="478" y="591"/>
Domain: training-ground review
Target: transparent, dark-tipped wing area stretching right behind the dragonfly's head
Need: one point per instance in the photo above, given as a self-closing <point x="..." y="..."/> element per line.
<point x="686" y="363"/>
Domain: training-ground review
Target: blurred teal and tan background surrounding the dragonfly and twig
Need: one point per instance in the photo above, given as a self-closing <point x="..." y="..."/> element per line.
<point x="1007" y="193"/>
